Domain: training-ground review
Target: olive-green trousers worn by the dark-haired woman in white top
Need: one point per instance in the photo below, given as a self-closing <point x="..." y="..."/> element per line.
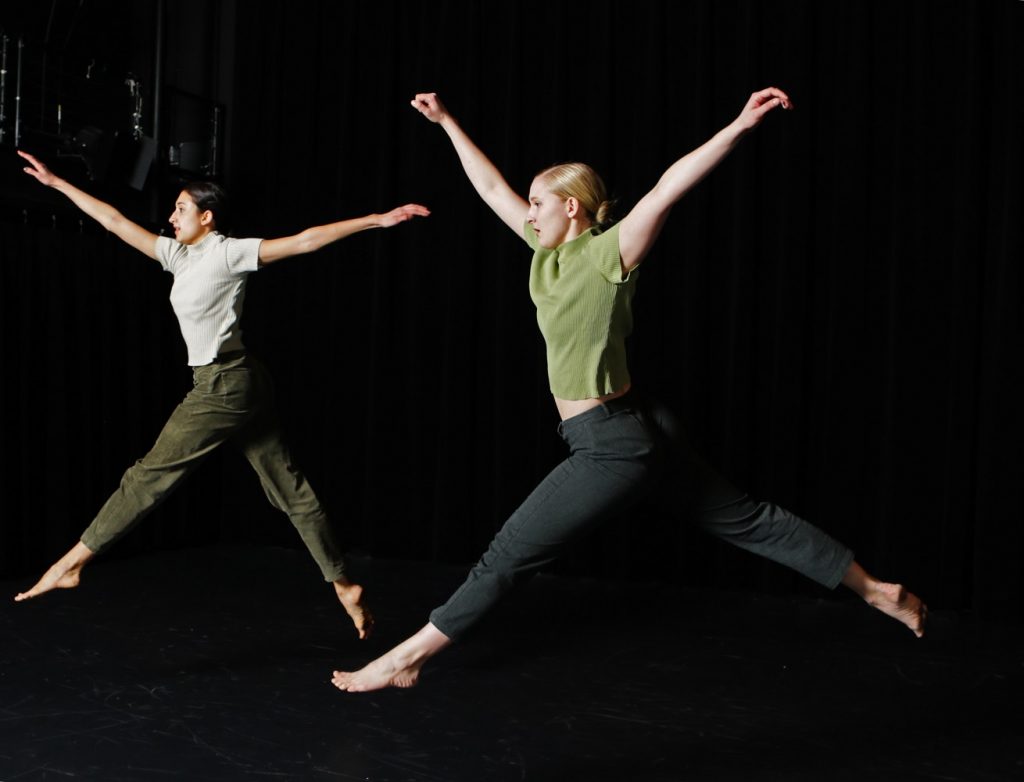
<point x="232" y="400"/>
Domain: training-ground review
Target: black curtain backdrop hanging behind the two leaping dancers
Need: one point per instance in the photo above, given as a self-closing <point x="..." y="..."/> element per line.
<point x="835" y="312"/>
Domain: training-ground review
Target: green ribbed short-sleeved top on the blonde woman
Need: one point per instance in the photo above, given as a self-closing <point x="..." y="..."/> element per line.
<point x="584" y="309"/>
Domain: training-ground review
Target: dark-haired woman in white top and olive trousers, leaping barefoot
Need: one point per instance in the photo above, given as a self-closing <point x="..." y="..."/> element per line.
<point x="232" y="397"/>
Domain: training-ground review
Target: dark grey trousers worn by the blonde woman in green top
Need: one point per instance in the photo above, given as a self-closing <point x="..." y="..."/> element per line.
<point x="620" y="453"/>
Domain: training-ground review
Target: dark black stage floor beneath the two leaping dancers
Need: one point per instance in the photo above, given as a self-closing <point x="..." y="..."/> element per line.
<point x="215" y="665"/>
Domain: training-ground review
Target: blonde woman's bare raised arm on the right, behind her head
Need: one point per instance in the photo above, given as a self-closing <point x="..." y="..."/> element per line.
<point x="643" y="226"/>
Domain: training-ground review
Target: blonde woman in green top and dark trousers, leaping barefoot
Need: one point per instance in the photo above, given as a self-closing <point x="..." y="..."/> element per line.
<point x="582" y="281"/>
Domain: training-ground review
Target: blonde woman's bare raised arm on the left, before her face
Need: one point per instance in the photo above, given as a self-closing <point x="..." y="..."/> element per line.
<point x="483" y="175"/>
